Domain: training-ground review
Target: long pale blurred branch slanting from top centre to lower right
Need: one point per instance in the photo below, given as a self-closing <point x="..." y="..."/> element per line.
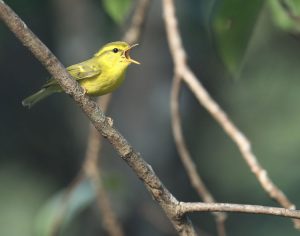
<point x="182" y="70"/>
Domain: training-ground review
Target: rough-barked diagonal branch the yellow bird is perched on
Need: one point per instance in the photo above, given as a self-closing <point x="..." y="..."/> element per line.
<point x="102" y="123"/>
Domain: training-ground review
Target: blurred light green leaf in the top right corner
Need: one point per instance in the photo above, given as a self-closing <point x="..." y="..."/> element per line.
<point x="286" y="14"/>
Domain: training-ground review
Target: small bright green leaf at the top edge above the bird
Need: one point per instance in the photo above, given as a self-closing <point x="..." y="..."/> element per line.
<point x="117" y="9"/>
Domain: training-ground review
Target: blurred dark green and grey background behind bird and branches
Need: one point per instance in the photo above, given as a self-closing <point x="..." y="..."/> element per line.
<point x="245" y="53"/>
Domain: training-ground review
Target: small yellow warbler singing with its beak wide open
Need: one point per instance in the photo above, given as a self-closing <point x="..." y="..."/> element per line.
<point x="101" y="74"/>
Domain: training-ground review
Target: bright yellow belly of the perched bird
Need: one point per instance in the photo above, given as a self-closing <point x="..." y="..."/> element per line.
<point x="102" y="84"/>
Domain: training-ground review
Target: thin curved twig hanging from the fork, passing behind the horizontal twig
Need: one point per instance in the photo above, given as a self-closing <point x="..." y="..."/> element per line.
<point x="186" y="159"/>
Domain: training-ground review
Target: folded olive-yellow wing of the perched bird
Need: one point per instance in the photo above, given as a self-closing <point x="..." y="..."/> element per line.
<point x="83" y="70"/>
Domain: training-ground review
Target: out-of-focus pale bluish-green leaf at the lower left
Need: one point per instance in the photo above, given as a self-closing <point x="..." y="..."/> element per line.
<point x="58" y="208"/>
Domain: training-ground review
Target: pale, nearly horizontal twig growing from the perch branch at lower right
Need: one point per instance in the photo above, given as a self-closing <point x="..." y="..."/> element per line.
<point x="185" y="207"/>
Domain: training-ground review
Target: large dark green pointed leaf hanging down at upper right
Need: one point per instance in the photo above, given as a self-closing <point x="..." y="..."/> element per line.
<point x="233" y="24"/>
